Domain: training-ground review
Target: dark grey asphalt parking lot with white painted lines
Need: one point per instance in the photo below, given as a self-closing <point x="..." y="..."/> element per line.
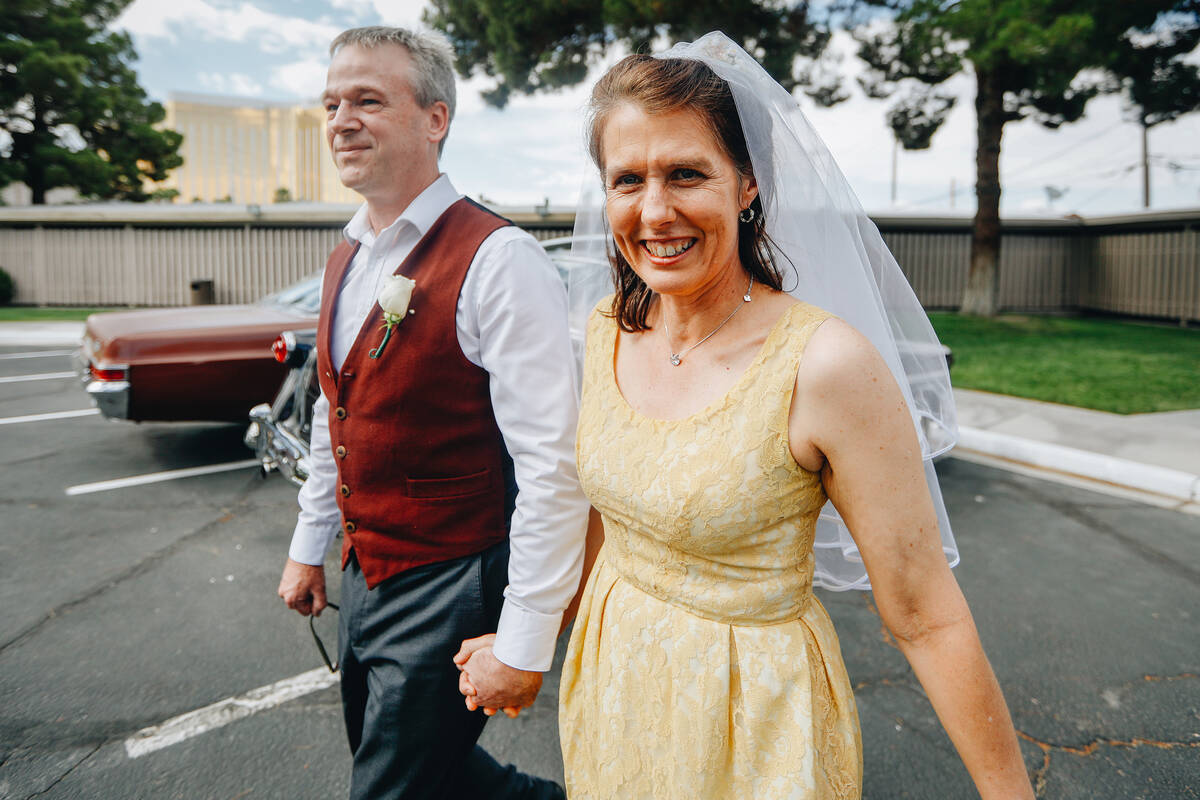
<point x="127" y="607"/>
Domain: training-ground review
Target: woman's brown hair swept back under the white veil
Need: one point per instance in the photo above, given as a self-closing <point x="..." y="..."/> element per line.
<point x="661" y="87"/>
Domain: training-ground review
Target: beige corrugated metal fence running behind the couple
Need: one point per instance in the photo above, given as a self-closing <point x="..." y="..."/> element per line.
<point x="1147" y="266"/>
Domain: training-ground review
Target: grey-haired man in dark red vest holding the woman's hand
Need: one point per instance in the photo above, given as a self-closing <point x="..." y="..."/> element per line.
<point x="417" y="443"/>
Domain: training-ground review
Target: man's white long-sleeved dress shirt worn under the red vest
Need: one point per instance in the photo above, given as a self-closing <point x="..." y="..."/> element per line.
<point x="512" y="321"/>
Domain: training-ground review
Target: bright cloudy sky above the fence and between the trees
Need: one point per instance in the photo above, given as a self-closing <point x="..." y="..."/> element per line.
<point x="277" y="51"/>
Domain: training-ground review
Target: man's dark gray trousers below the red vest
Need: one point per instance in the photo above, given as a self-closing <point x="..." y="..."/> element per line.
<point x="411" y="735"/>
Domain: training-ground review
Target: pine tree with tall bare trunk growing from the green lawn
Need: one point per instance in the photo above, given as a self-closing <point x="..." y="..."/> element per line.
<point x="1030" y="58"/>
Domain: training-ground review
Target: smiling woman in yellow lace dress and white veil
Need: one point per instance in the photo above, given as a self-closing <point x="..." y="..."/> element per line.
<point x="719" y="414"/>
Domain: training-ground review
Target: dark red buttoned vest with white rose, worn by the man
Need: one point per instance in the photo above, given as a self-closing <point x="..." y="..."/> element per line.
<point x="421" y="461"/>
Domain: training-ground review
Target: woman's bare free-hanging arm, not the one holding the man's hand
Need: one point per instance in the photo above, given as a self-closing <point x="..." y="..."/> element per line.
<point x="850" y="419"/>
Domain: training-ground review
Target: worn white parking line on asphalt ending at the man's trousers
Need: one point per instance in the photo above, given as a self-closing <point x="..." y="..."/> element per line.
<point x="223" y="713"/>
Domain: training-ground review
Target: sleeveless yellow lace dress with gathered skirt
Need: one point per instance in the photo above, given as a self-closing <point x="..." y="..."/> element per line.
<point x="701" y="666"/>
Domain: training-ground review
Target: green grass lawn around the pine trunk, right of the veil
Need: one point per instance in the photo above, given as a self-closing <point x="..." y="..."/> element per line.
<point x="1095" y="363"/>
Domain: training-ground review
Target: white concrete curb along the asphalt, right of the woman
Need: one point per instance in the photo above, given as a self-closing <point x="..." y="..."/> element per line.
<point x="1174" y="484"/>
